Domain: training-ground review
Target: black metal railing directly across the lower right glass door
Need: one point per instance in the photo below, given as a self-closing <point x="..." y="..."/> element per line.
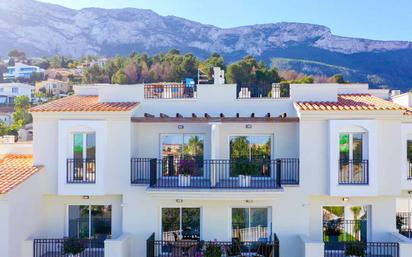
<point x="339" y="230"/>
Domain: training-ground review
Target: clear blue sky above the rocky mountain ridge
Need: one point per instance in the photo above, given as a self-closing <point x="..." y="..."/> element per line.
<point x="374" y="19"/>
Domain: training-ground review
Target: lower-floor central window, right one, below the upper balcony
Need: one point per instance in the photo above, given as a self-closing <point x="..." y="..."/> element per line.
<point x="251" y="224"/>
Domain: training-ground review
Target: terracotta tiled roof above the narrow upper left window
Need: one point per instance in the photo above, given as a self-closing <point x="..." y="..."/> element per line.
<point x="83" y="104"/>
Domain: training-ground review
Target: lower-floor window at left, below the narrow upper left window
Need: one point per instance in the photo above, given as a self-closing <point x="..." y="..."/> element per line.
<point x="90" y="221"/>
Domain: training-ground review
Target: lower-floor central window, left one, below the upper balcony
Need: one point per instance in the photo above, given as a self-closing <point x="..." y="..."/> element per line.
<point x="180" y="223"/>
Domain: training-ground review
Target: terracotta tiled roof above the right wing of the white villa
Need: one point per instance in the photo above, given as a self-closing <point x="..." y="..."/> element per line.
<point x="351" y="102"/>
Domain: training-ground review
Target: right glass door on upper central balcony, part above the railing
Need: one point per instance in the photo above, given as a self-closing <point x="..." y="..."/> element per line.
<point x="250" y="147"/>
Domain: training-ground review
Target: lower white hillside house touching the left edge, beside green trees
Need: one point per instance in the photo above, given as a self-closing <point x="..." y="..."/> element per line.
<point x="8" y="91"/>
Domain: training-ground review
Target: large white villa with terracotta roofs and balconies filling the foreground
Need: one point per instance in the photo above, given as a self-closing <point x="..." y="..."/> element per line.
<point x="312" y="170"/>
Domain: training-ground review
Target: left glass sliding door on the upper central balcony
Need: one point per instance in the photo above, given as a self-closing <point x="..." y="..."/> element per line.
<point x="182" y="149"/>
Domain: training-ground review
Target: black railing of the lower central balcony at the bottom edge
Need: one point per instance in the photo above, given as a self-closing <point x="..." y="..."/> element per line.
<point x="193" y="248"/>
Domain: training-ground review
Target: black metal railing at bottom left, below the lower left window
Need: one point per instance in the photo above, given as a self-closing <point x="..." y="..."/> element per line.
<point x="55" y="247"/>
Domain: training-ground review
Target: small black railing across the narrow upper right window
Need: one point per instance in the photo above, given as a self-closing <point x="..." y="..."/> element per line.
<point x="353" y="172"/>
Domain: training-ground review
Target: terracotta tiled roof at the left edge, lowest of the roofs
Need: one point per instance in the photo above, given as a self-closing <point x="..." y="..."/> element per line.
<point x="14" y="169"/>
